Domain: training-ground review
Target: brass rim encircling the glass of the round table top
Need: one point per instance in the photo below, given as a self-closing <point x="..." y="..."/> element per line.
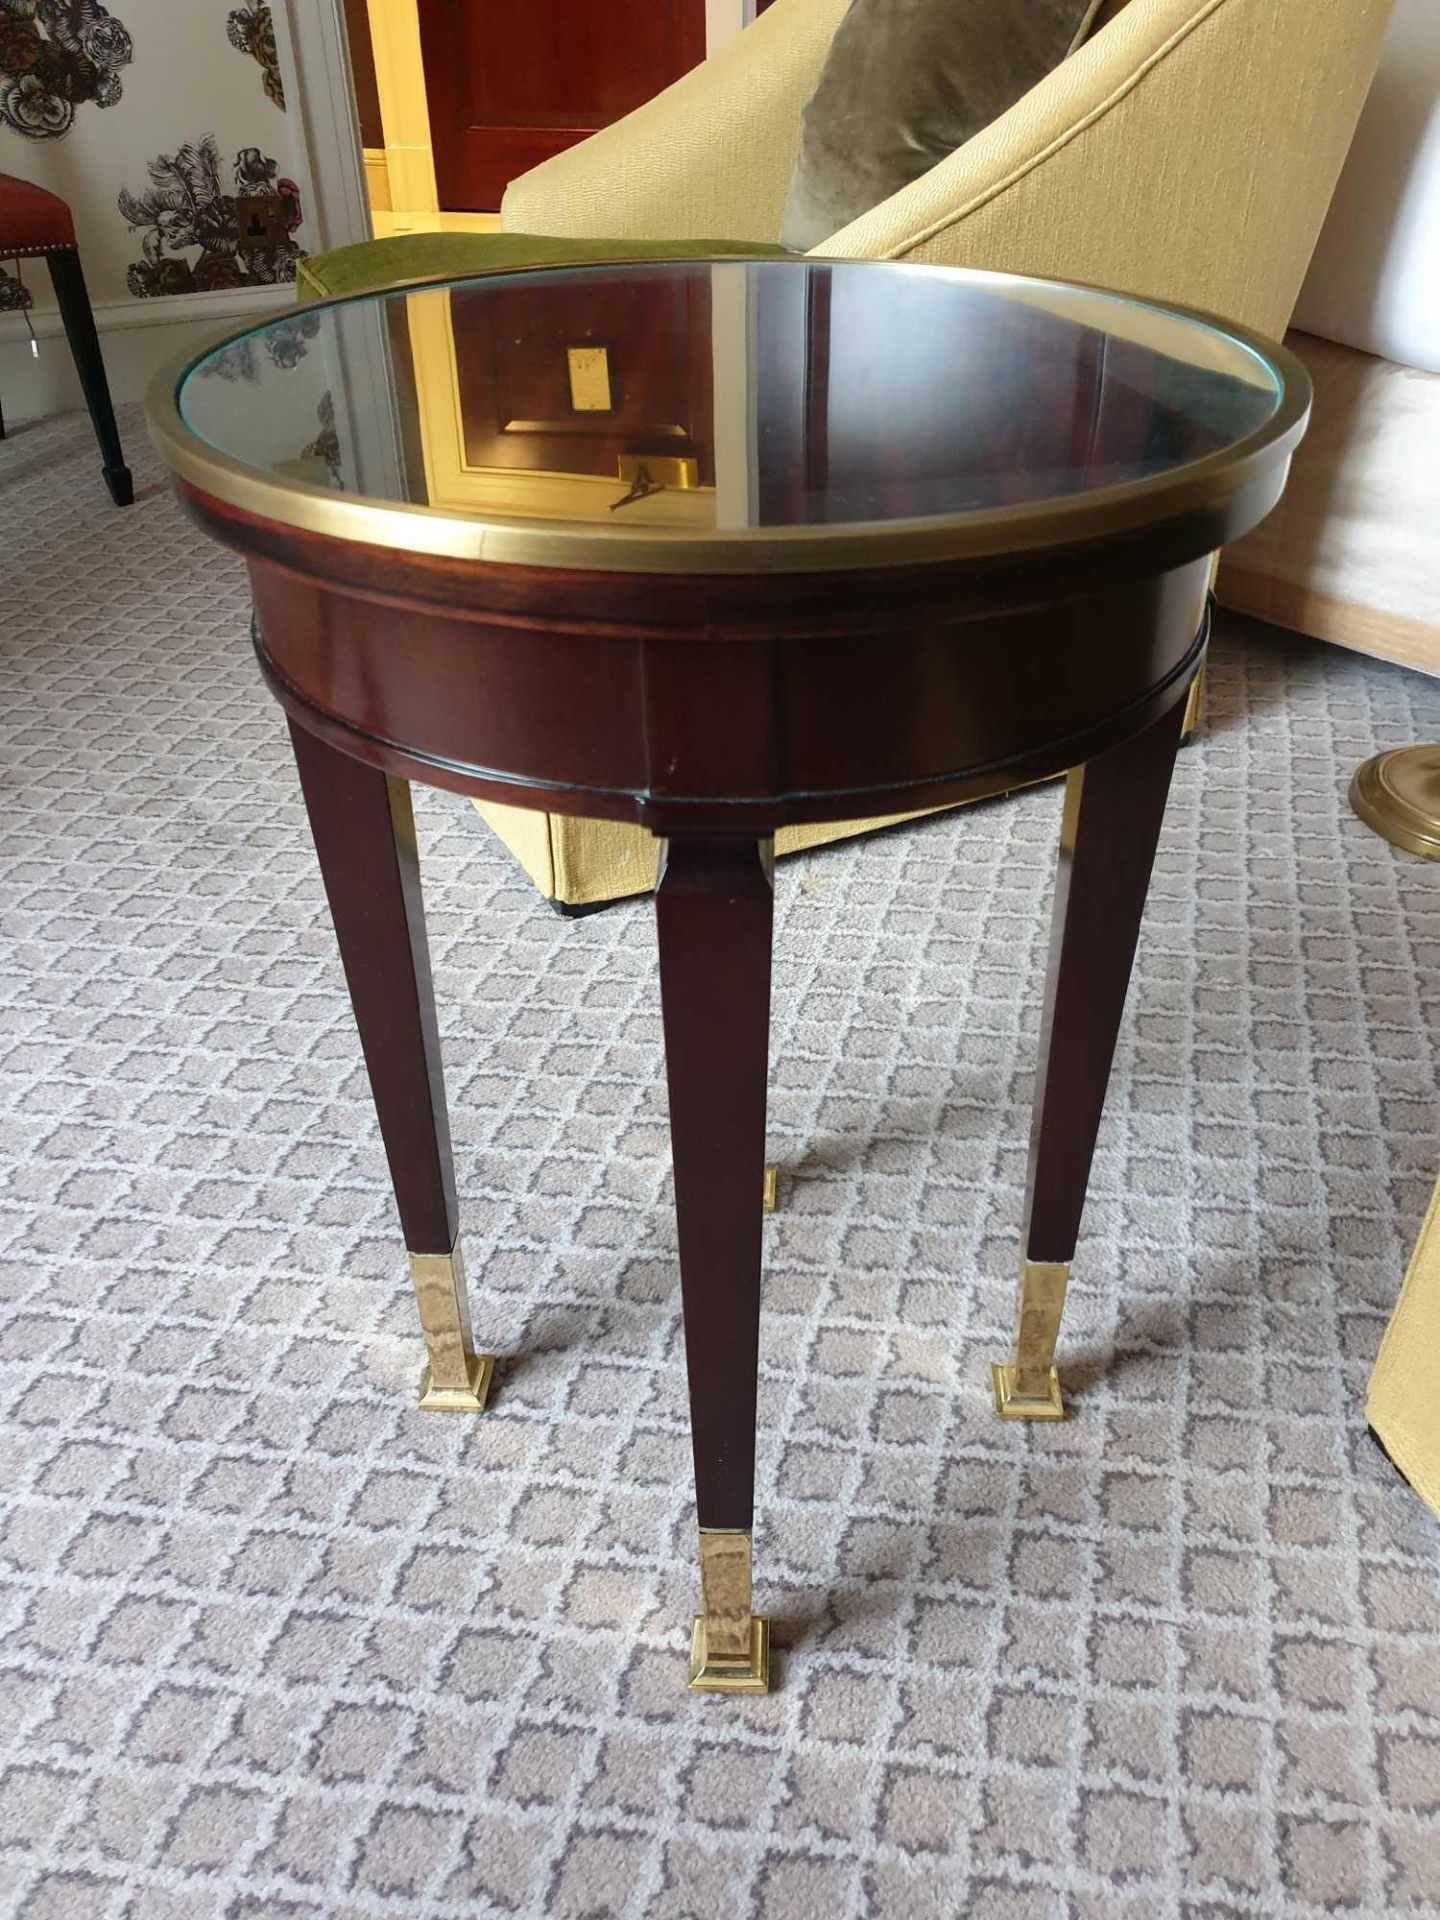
<point x="1068" y="521"/>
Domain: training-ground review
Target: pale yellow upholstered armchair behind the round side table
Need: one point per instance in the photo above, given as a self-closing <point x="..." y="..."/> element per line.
<point x="1188" y="151"/>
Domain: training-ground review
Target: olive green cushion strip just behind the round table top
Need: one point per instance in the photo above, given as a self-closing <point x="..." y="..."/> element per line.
<point x="375" y="264"/>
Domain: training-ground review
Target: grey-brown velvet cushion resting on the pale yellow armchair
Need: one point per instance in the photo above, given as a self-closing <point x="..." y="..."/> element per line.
<point x="909" y="82"/>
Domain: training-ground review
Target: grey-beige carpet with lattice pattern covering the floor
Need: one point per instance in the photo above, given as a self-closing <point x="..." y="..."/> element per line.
<point x="276" y="1644"/>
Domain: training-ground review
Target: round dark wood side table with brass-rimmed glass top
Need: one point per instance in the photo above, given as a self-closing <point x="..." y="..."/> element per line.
<point x="715" y="548"/>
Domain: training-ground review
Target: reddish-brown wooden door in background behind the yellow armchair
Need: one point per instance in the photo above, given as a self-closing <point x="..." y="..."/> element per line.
<point x="514" y="82"/>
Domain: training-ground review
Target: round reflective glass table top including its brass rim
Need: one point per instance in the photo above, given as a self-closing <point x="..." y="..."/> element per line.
<point x="694" y="416"/>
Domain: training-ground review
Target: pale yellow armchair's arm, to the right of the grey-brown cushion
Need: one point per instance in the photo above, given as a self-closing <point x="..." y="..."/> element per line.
<point x="1188" y="153"/>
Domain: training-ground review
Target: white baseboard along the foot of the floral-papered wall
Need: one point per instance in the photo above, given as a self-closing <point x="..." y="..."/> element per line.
<point x="137" y="339"/>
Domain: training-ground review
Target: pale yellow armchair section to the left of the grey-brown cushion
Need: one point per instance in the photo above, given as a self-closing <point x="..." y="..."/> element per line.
<point x="709" y="158"/>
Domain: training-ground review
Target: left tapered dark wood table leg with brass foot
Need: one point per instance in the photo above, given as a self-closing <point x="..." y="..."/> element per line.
<point x="366" y="842"/>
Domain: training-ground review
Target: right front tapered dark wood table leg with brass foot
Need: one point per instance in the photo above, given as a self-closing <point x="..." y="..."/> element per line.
<point x="1115" y="807"/>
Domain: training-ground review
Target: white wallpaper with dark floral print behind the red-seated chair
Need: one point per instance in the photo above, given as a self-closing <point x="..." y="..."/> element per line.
<point x="162" y="124"/>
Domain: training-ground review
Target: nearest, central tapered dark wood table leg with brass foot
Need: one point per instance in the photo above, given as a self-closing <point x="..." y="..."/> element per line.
<point x="713" y="913"/>
